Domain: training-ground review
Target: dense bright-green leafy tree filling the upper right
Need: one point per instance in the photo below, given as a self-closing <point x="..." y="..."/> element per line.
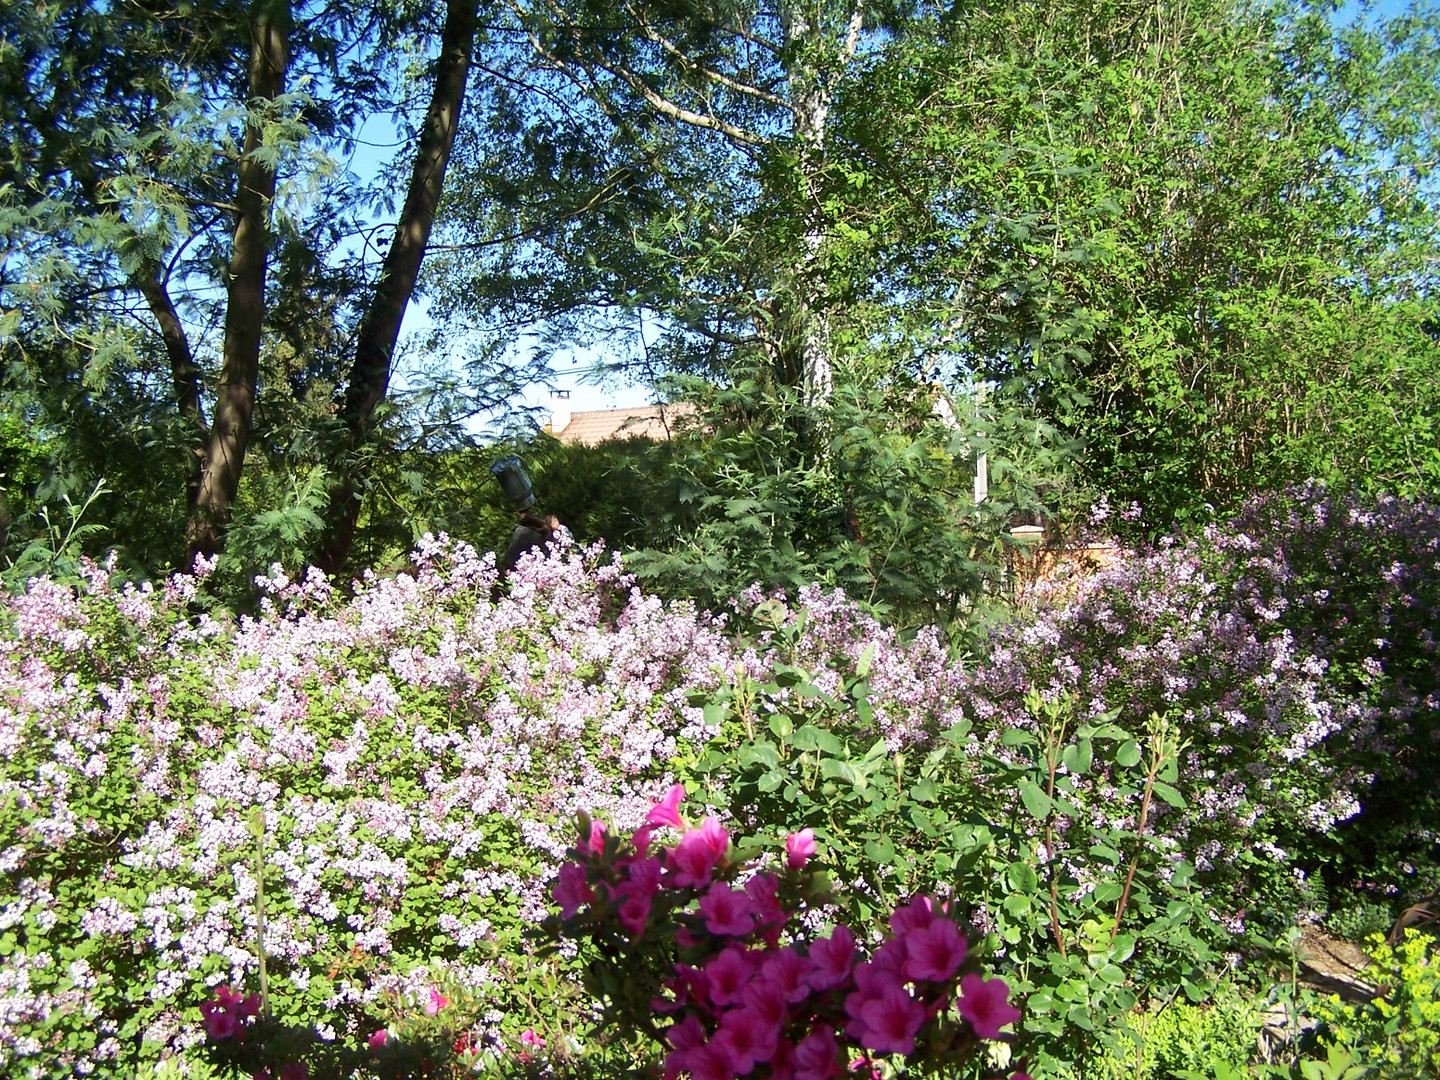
<point x="1200" y="237"/>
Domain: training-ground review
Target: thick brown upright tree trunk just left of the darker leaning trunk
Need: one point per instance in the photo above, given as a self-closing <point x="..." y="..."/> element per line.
<point x="246" y="302"/>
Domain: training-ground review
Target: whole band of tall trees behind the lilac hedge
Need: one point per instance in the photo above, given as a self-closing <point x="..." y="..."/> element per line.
<point x="1193" y="240"/>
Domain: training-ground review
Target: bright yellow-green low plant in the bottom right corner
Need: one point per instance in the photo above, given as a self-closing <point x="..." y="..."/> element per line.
<point x="1398" y="1033"/>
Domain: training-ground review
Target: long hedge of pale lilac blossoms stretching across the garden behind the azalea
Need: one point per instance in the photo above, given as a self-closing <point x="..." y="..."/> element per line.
<point x="418" y="752"/>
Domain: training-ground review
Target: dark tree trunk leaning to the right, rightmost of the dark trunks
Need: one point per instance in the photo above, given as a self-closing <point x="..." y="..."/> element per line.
<point x="381" y="329"/>
